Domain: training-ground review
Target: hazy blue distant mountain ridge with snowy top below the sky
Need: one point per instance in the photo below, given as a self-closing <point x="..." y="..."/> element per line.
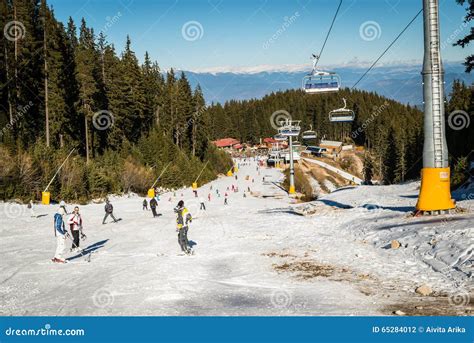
<point x="398" y="81"/>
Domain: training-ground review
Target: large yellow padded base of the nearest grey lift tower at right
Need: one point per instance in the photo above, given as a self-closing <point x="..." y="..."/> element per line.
<point x="435" y="193"/>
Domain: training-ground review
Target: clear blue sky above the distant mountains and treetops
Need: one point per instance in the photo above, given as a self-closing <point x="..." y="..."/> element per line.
<point x="238" y="33"/>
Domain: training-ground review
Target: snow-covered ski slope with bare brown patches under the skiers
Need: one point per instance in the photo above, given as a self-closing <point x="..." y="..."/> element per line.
<point x="255" y="256"/>
